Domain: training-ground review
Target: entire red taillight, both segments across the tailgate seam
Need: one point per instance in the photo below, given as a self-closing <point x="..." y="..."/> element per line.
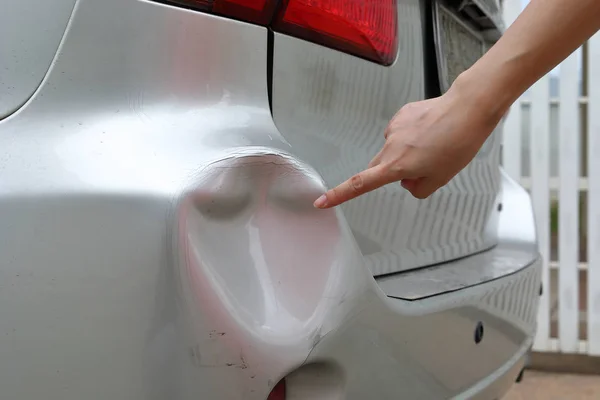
<point x="365" y="28"/>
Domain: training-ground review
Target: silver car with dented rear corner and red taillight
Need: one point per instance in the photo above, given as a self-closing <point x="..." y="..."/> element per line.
<point x="158" y="164"/>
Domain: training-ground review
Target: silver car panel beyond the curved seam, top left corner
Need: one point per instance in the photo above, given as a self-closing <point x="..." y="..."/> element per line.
<point x="30" y="32"/>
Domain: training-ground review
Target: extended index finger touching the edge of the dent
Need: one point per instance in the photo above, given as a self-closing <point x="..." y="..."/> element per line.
<point x="361" y="183"/>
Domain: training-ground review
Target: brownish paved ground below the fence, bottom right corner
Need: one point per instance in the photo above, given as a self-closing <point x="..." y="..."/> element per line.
<point x="545" y="386"/>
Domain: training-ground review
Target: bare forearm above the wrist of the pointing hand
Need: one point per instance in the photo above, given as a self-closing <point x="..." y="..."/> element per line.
<point x="542" y="36"/>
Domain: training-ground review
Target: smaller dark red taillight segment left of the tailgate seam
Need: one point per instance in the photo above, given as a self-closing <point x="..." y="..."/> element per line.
<point x="254" y="11"/>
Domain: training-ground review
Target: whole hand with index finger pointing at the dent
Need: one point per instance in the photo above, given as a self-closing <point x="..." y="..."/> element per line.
<point x="426" y="144"/>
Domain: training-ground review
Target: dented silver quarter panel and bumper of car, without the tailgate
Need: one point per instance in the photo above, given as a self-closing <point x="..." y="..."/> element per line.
<point x="158" y="239"/>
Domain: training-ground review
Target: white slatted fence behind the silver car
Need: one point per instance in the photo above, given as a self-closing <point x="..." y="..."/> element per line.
<point x="543" y="132"/>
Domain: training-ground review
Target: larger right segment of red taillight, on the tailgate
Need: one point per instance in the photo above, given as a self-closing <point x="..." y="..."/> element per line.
<point x="366" y="28"/>
